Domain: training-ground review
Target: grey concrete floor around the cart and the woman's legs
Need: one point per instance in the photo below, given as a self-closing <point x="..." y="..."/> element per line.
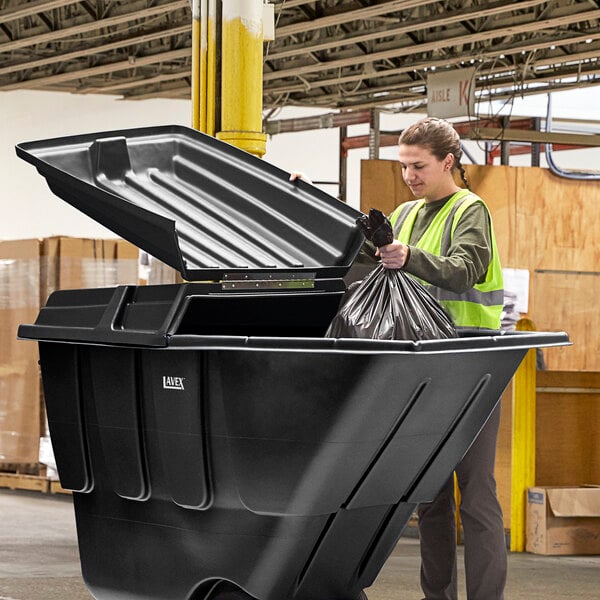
<point x="39" y="560"/>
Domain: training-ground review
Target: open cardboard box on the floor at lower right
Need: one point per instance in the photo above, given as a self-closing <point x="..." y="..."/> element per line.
<point x="563" y="520"/>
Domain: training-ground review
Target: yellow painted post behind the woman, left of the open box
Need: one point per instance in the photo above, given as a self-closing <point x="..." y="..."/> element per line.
<point x="523" y="441"/>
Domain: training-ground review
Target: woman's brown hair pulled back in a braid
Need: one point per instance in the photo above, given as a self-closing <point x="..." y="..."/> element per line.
<point x="439" y="137"/>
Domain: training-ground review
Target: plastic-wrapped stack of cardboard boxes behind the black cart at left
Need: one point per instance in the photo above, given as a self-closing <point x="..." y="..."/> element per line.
<point x="30" y="270"/>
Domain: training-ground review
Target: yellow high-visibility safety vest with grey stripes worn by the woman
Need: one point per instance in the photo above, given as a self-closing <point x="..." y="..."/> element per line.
<point x="482" y="305"/>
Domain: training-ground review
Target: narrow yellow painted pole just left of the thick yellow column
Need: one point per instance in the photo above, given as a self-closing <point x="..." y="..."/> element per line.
<point x="199" y="51"/>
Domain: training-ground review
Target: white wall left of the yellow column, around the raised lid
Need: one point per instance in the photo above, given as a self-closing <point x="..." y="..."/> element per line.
<point x="27" y="207"/>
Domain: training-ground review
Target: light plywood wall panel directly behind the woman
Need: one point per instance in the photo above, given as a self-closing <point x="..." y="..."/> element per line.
<point x="545" y="224"/>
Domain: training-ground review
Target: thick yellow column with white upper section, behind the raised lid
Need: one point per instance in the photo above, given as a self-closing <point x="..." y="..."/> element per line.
<point x="241" y="75"/>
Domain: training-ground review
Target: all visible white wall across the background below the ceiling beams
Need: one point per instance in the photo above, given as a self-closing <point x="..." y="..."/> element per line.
<point x="29" y="209"/>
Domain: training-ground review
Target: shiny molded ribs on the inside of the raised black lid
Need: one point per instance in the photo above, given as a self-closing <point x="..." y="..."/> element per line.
<point x="254" y="236"/>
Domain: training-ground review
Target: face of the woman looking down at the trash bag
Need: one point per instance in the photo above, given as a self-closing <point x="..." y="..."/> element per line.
<point x="426" y="176"/>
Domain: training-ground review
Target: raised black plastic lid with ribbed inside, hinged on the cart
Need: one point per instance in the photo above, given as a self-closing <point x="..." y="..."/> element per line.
<point x="200" y="205"/>
